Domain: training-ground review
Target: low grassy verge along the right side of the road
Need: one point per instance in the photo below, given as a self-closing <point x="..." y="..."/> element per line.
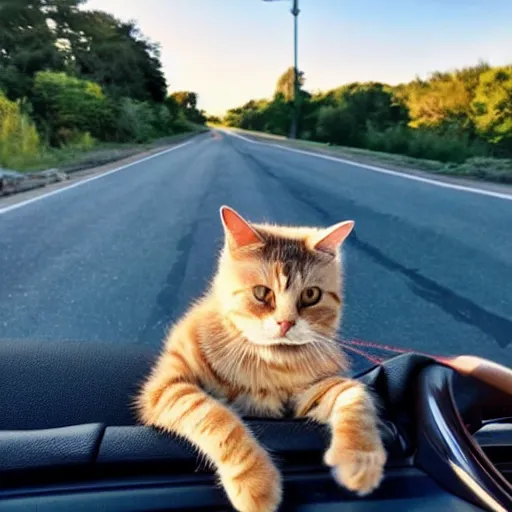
<point x="497" y="170"/>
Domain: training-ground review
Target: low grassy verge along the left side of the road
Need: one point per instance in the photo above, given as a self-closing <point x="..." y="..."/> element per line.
<point x="73" y="158"/>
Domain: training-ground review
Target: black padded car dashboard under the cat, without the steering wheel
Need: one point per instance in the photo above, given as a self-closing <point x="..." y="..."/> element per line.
<point x="68" y="441"/>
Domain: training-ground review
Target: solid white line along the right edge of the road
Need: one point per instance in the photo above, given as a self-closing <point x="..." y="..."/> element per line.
<point x="374" y="168"/>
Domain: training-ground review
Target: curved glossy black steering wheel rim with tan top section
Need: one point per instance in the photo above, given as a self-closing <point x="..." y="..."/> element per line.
<point x="446" y="449"/>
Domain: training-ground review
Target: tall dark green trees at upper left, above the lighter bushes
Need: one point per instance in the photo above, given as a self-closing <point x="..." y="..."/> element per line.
<point x="55" y="35"/>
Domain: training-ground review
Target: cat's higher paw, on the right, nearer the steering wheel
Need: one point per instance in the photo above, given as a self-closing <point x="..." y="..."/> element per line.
<point x="357" y="470"/>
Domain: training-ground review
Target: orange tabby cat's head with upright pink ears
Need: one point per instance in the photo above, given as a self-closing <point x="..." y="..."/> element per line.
<point x="280" y="285"/>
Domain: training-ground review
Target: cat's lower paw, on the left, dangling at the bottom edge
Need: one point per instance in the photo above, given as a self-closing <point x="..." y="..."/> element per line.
<point x="255" y="487"/>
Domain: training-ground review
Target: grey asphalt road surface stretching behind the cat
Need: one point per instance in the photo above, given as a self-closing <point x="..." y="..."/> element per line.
<point x="118" y="258"/>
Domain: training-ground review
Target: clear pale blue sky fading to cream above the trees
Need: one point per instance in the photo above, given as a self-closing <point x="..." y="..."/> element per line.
<point x="230" y="51"/>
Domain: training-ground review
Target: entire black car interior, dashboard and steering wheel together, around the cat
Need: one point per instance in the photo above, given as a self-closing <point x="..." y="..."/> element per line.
<point x="69" y="441"/>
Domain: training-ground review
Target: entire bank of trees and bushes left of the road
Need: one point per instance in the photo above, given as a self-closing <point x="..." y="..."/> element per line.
<point x="71" y="77"/>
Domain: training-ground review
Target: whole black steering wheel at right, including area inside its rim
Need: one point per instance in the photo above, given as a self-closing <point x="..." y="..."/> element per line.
<point x="447" y="416"/>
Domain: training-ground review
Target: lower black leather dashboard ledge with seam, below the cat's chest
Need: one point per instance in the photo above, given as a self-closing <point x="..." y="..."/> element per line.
<point x="135" y="468"/>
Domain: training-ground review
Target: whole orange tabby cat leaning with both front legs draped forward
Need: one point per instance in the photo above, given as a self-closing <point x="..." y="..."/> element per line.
<point x="260" y="342"/>
